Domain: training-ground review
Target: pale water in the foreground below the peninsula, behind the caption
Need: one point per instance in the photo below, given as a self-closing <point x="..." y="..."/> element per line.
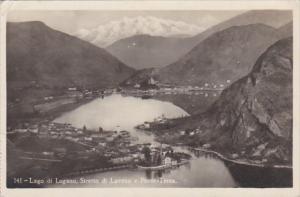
<point x="201" y="172"/>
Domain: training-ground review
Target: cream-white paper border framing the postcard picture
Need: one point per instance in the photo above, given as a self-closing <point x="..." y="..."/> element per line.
<point x="152" y="5"/>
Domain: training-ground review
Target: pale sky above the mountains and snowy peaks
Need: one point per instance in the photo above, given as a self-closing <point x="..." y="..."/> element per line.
<point x="71" y="21"/>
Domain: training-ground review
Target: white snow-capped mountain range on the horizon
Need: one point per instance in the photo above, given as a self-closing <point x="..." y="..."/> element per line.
<point x="106" y="34"/>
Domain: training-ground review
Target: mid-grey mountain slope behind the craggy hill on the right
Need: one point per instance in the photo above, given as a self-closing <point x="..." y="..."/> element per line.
<point x="223" y="57"/>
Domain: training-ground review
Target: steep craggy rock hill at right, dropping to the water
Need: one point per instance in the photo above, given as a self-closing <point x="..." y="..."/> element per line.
<point x="253" y="117"/>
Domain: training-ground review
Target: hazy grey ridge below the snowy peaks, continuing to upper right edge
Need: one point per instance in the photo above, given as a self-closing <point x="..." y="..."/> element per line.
<point x="158" y="50"/>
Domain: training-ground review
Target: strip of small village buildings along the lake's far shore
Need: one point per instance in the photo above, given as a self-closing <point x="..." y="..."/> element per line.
<point x="146" y="88"/>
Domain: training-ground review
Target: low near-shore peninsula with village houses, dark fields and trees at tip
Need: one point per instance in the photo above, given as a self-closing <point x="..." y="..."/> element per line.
<point x="76" y="151"/>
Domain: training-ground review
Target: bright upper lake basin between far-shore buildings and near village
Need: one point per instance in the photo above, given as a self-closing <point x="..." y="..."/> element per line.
<point x="117" y="112"/>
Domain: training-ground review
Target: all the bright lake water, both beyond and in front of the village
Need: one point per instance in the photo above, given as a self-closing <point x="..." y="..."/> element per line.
<point x="117" y="112"/>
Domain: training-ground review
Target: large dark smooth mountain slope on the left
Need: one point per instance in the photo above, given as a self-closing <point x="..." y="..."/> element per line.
<point x="38" y="56"/>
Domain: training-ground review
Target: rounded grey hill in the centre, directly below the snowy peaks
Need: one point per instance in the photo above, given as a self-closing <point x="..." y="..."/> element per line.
<point x="145" y="51"/>
